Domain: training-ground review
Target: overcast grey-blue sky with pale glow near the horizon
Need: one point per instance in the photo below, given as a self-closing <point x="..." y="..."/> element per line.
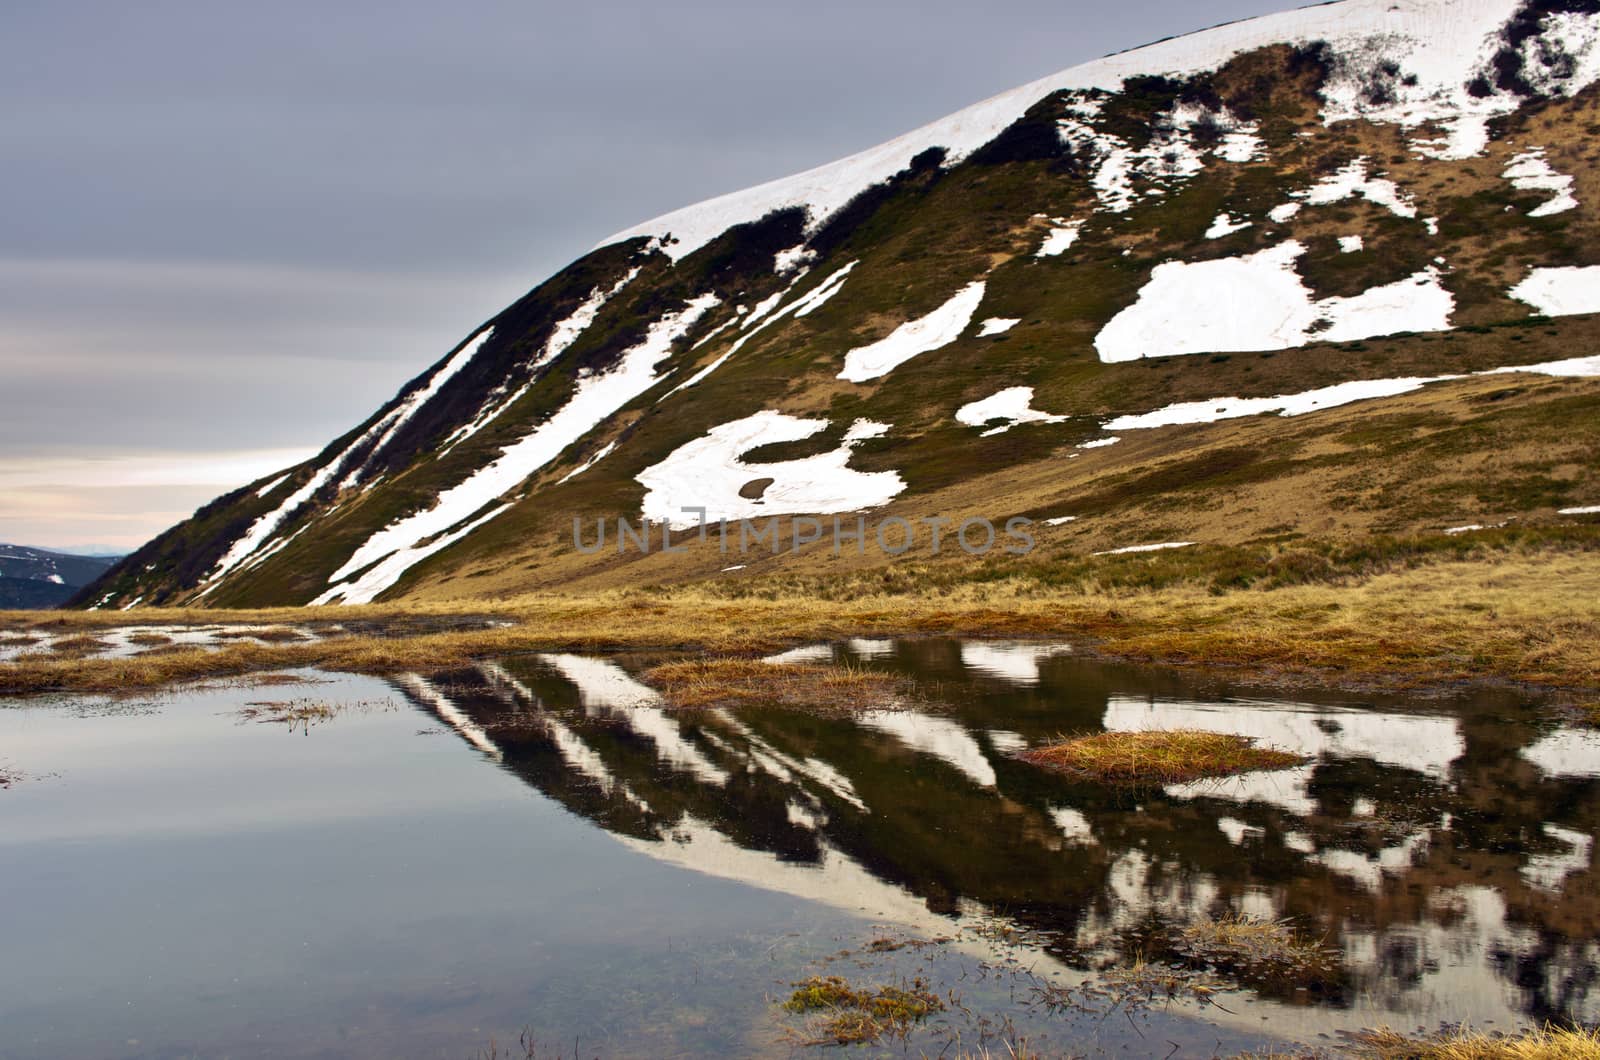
<point x="231" y="231"/>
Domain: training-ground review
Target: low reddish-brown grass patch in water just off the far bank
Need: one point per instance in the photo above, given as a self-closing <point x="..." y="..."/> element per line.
<point x="814" y="688"/>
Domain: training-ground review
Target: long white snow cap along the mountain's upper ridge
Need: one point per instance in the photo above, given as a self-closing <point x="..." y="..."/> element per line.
<point x="1439" y="47"/>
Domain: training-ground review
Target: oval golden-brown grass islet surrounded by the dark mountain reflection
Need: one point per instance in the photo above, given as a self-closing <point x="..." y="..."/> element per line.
<point x="1159" y="757"/>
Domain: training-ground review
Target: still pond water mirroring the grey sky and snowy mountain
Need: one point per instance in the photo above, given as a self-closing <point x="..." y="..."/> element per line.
<point x="535" y="843"/>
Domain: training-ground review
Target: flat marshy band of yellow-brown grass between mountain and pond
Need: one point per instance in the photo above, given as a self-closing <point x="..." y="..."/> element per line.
<point x="1418" y="614"/>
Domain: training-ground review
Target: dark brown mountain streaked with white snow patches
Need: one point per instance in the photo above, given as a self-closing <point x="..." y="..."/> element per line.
<point x="1313" y="276"/>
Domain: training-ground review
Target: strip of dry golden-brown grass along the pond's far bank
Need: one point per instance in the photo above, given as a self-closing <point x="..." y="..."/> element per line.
<point x="1505" y="617"/>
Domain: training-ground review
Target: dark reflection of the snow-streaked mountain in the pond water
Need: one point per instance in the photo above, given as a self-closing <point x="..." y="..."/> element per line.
<point x="1447" y="853"/>
